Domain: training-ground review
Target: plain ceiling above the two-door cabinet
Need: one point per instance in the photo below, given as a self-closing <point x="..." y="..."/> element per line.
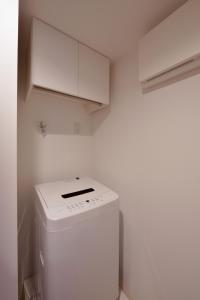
<point x="112" y="27"/>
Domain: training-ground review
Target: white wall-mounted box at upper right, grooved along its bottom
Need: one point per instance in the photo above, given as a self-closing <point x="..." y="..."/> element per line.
<point x="171" y="51"/>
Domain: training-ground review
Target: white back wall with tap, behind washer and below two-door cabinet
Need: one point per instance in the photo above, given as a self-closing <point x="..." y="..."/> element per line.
<point x="64" y="153"/>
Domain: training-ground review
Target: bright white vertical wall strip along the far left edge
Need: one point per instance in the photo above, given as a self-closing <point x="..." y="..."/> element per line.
<point x="8" y="149"/>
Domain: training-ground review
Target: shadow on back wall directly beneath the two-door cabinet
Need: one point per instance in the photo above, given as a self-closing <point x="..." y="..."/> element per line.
<point x="61" y="116"/>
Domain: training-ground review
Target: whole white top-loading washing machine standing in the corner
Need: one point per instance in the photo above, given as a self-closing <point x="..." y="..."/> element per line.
<point x="78" y="240"/>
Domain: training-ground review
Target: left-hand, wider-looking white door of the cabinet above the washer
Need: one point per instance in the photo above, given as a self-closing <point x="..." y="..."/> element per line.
<point x="54" y="59"/>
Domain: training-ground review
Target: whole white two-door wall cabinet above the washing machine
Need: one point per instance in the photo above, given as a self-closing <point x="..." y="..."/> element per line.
<point x="60" y="64"/>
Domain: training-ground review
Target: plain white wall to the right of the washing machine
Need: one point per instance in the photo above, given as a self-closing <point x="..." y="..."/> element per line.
<point x="148" y="150"/>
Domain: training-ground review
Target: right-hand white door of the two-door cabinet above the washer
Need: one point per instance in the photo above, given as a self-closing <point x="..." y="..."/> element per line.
<point x="93" y="83"/>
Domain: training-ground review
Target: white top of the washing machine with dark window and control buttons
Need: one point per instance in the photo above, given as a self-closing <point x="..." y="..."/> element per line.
<point x="64" y="199"/>
